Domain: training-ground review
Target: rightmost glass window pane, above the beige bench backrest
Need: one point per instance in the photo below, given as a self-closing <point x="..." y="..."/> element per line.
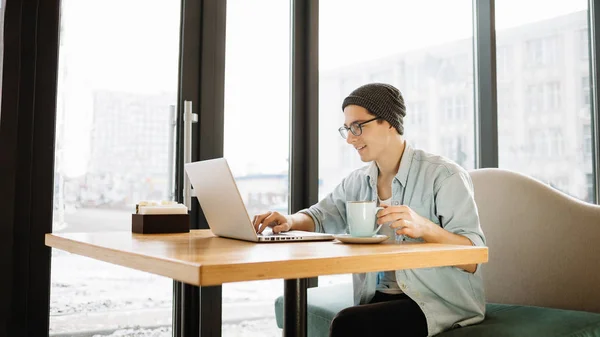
<point x="546" y="131"/>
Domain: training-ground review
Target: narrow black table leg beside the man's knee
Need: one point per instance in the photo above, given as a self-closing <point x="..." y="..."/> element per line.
<point x="294" y="307"/>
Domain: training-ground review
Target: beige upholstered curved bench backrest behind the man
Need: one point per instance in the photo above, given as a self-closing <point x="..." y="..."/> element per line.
<point x="544" y="246"/>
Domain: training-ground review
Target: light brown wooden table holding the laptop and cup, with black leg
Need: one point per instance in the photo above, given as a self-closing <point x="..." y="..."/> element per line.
<point x="200" y="259"/>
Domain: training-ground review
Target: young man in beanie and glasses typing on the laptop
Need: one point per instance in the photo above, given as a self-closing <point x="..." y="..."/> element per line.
<point x="426" y="198"/>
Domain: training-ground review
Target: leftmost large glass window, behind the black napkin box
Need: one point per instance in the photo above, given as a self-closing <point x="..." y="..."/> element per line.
<point x="116" y="83"/>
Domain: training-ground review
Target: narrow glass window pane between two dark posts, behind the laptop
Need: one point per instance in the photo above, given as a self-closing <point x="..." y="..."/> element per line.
<point x="257" y="117"/>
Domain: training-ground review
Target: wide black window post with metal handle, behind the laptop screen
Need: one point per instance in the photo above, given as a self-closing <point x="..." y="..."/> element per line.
<point x="201" y="81"/>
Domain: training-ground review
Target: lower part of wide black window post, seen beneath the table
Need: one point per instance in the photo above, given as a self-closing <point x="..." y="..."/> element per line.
<point x="201" y="311"/>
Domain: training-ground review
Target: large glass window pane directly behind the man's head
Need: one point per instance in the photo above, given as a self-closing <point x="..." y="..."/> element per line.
<point x="400" y="43"/>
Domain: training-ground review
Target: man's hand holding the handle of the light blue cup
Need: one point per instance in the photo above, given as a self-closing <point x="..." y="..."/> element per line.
<point x="405" y="221"/>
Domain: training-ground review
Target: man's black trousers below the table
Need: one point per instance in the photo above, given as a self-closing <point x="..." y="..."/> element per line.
<point x="385" y="315"/>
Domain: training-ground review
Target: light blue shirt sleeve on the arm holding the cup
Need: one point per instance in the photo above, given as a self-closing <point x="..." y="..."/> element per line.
<point x="456" y="208"/>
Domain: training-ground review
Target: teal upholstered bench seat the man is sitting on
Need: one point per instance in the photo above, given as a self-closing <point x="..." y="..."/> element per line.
<point x="501" y="320"/>
